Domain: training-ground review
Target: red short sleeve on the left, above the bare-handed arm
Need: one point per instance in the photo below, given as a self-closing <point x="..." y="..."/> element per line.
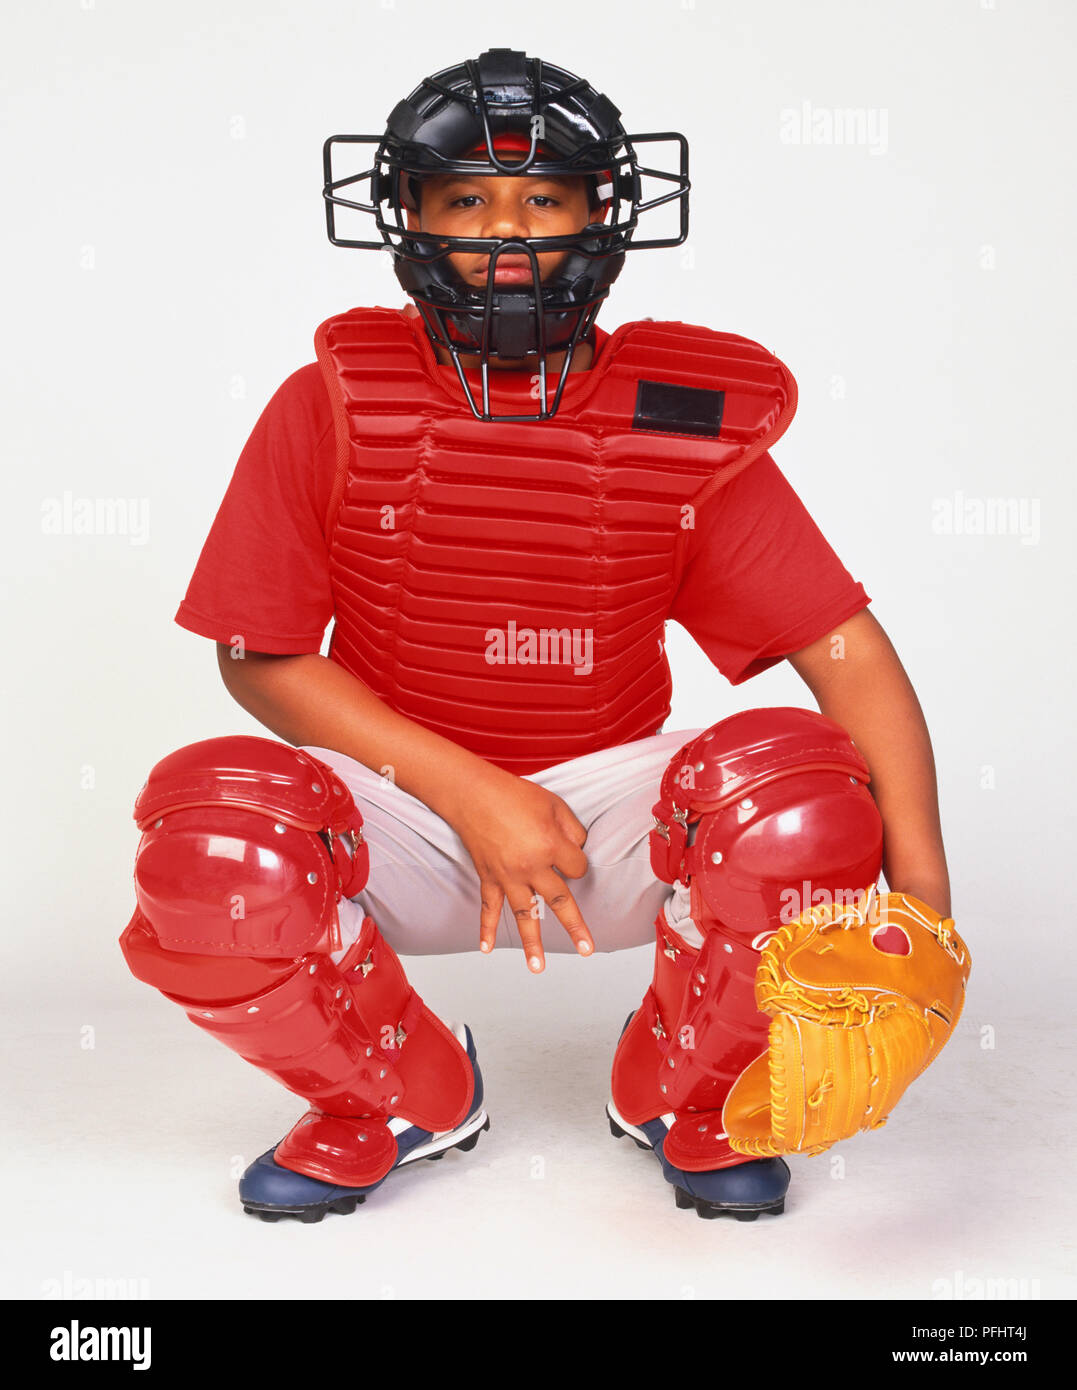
<point x="263" y="573"/>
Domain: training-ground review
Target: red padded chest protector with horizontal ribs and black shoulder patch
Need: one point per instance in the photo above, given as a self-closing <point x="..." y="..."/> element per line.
<point x="507" y="584"/>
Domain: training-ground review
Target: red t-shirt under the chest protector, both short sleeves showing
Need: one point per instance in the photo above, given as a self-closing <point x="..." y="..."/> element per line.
<point x="265" y="576"/>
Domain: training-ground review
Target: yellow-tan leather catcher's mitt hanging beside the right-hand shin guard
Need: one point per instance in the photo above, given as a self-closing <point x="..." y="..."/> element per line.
<point x="862" y="1000"/>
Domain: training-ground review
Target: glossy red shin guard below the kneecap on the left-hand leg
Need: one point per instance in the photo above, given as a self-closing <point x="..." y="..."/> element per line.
<point x="354" y="1040"/>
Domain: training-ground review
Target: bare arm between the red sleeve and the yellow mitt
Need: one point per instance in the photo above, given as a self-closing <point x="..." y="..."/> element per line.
<point x="861" y="683"/>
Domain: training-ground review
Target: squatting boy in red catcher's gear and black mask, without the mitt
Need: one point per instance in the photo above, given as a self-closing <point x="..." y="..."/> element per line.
<point x="495" y="690"/>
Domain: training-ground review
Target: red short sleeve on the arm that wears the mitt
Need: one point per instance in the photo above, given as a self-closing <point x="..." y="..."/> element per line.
<point x="761" y="579"/>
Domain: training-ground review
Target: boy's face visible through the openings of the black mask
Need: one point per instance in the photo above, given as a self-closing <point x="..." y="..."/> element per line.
<point x="505" y="208"/>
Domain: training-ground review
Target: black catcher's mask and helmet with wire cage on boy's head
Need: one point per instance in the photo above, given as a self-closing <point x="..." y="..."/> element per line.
<point x="462" y="122"/>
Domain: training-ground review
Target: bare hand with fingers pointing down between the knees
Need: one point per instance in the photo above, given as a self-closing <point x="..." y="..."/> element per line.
<point x="522" y="839"/>
